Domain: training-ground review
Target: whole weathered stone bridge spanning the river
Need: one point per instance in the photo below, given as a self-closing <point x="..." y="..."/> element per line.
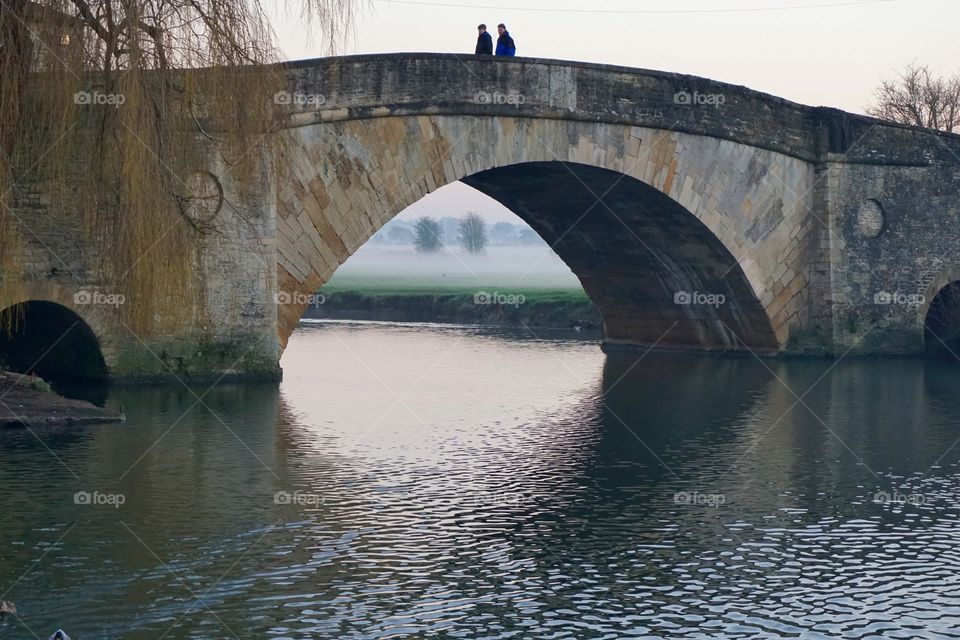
<point x="696" y="214"/>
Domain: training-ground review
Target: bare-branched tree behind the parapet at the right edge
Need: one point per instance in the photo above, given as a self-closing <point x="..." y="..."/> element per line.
<point x="919" y="97"/>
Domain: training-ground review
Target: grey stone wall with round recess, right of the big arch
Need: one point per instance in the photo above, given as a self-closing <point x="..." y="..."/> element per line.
<point x="894" y="247"/>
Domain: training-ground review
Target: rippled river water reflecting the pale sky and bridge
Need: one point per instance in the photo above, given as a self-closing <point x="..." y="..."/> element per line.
<point x="450" y="482"/>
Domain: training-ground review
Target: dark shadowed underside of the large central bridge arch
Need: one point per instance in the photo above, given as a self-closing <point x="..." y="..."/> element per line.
<point x="642" y="257"/>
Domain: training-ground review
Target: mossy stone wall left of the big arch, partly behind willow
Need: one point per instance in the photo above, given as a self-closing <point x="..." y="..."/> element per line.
<point x="230" y="329"/>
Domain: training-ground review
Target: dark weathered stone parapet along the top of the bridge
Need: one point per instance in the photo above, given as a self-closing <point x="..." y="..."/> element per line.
<point x="370" y="86"/>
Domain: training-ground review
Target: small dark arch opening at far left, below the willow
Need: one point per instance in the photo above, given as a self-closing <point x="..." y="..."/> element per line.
<point x="51" y="341"/>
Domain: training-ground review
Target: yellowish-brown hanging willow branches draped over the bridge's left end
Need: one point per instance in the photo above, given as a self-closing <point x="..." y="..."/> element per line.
<point x="108" y="107"/>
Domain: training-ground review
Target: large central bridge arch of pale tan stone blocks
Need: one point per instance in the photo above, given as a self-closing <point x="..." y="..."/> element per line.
<point x="343" y="180"/>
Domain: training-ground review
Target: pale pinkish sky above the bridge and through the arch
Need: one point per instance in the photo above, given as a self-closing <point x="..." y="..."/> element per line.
<point x="817" y="52"/>
